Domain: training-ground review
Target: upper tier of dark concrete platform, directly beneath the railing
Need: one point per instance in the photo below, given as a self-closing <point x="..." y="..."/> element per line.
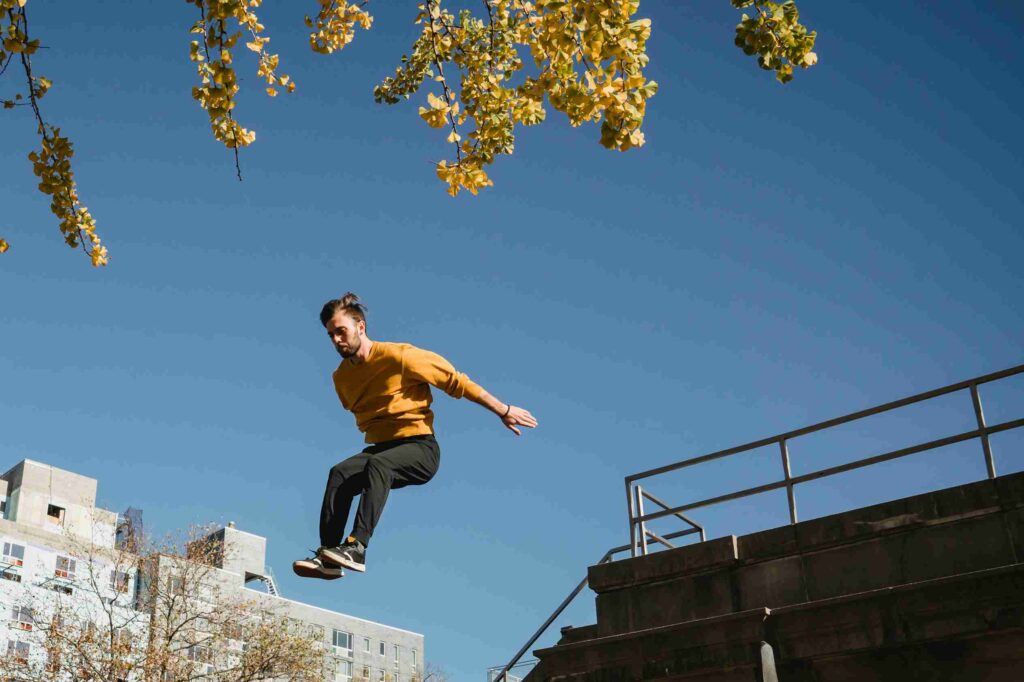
<point x="944" y="534"/>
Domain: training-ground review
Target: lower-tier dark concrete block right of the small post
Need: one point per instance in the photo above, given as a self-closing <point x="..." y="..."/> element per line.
<point x="969" y="627"/>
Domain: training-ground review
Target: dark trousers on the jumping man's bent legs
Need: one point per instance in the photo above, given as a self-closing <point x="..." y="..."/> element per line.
<point x="372" y="475"/>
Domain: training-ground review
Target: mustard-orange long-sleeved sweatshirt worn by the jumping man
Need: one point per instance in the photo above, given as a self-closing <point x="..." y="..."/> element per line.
<point x="390" y="393"/>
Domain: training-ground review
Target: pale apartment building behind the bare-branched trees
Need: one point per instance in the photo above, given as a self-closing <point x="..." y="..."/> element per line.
<point x="50" y="519"/>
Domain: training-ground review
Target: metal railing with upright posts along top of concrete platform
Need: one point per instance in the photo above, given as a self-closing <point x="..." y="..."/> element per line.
<point x="635" y="495"/>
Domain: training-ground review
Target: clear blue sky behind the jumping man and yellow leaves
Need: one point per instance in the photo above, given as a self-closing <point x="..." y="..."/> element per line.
<point x="774" y="258"/>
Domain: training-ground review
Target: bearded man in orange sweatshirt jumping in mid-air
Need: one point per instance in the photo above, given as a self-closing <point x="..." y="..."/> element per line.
<point x="388" y="388"/>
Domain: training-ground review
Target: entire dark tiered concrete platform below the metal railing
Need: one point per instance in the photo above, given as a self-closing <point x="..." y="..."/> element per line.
<point x="926" y="588"/>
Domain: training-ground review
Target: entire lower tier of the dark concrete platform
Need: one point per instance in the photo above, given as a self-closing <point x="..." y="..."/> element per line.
<point x="909" y="633"/>
